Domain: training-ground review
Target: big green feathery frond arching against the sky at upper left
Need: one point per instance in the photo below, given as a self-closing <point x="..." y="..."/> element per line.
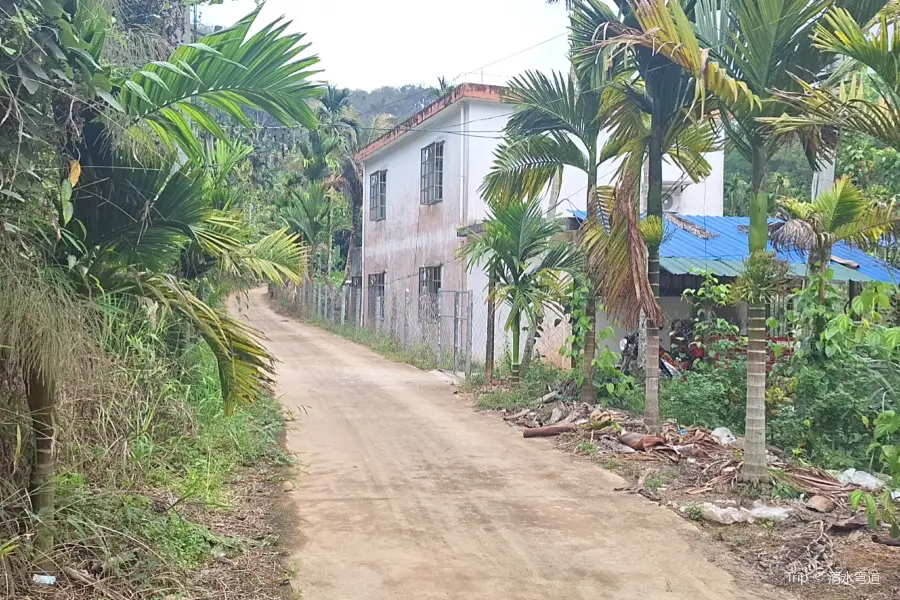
<point x="227" y="71"/>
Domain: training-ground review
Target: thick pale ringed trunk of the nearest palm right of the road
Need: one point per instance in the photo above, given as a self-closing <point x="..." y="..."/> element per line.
<point x="754" y="469"/>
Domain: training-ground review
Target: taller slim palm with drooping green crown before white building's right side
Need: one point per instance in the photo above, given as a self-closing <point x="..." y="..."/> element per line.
<point x="556" y="123"/>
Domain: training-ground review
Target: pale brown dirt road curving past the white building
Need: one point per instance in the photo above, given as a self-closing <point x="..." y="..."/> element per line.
<point x="409" y="494"/>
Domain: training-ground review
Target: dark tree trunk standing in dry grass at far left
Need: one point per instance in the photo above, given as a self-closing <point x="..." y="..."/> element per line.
<point x="41" y="399"/>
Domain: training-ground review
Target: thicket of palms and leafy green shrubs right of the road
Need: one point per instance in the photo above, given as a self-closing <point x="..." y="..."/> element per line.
<point x="671" y="79"/>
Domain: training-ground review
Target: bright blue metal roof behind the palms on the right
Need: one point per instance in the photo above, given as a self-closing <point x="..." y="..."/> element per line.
<point x="727" y="243"/>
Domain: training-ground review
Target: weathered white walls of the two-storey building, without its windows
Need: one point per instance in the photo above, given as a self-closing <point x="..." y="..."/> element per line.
<point x="412" y="235"/>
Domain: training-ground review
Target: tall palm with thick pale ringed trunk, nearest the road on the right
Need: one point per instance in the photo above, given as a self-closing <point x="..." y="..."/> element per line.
<point x="753" y="47"/>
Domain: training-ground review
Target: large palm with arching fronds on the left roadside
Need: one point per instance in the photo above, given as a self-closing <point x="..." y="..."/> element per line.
<point x="126" y="215"/>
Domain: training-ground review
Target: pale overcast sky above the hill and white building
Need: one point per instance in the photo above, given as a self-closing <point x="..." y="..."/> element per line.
<point x="365" y="44"/>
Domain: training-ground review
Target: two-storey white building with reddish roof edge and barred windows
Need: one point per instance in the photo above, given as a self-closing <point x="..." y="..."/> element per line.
<point x="423" y="179"/>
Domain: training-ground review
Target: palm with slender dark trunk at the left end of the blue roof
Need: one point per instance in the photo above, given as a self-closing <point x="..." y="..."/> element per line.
<point x="652" y="118"/>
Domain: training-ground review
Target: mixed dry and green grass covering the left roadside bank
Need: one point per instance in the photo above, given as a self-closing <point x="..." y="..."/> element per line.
<point x="146" y="456"/>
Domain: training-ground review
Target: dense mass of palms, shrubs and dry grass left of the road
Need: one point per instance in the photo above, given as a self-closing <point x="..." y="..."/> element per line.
<point x="131" y="394"/>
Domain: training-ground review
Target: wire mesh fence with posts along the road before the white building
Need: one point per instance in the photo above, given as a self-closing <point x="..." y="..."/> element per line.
<point x="446" y="329"/>
